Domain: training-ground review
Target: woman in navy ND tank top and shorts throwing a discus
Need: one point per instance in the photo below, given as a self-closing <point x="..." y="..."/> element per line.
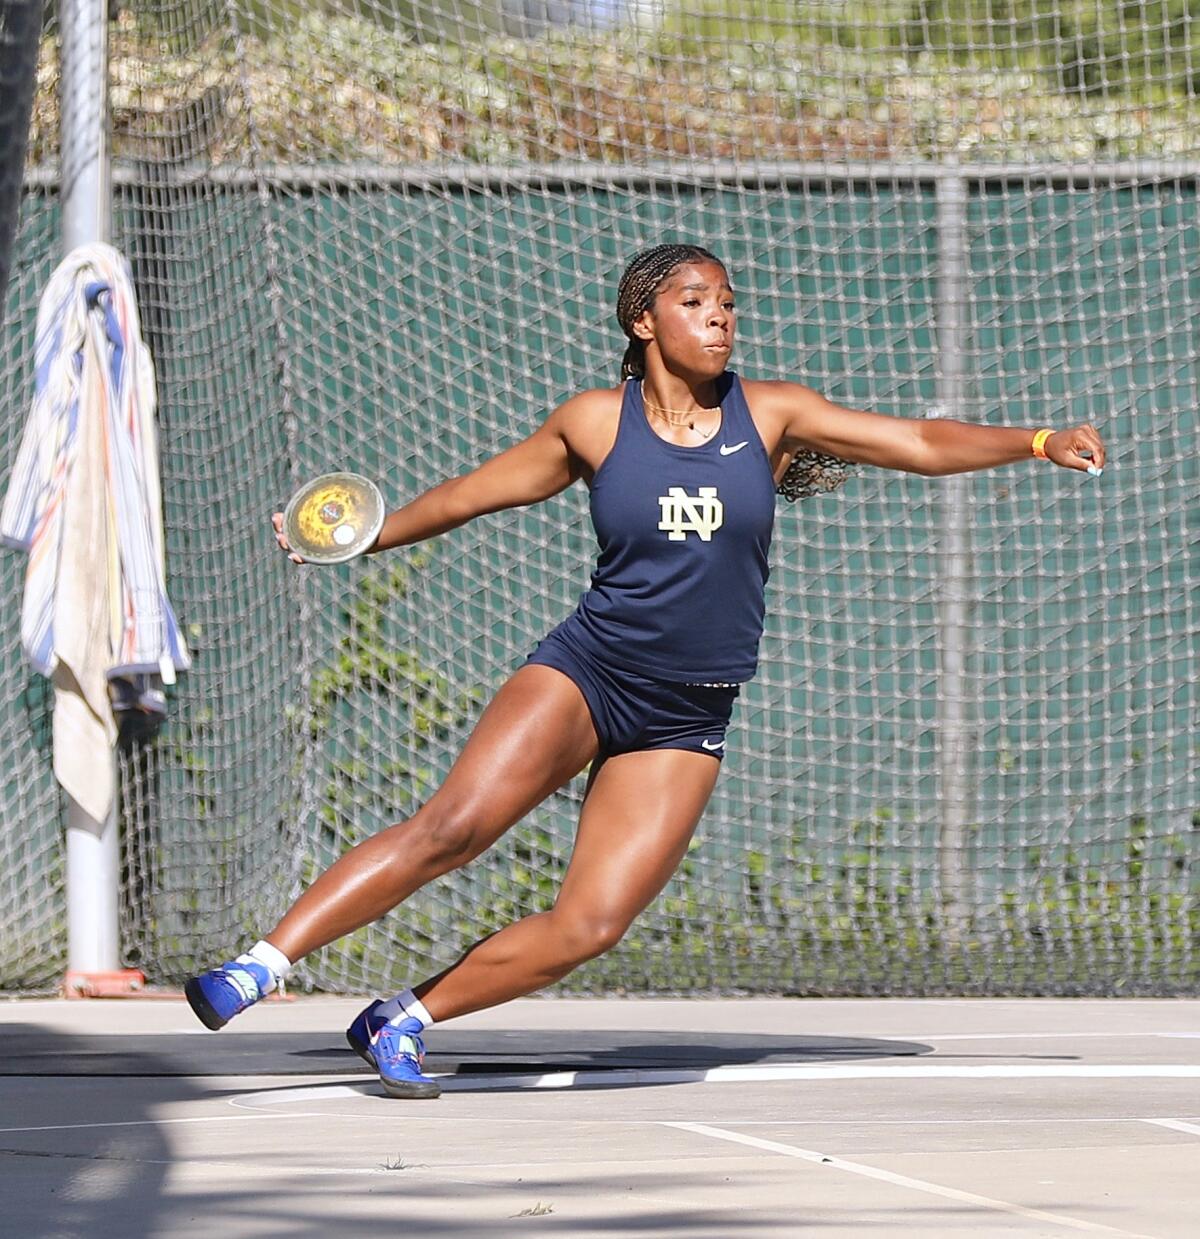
<point x="682" y="462"/>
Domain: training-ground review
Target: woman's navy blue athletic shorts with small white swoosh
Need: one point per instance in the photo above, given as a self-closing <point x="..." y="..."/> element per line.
<point x="633" y="713"/>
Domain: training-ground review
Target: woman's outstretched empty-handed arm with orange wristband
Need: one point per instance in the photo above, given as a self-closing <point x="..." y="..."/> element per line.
<point x="932" y="447"/>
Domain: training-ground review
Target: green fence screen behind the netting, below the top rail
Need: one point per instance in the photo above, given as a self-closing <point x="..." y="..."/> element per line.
<point x="411" y="334"/>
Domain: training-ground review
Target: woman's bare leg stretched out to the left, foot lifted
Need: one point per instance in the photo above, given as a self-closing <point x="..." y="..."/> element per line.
<point x="533" y="738"/>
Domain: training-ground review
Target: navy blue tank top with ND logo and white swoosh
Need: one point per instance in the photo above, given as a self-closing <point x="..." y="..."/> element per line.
<point x="678" y="593"/>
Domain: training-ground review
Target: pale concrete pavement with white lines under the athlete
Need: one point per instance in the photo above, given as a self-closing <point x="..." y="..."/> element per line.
<point x="704" y="1119"/>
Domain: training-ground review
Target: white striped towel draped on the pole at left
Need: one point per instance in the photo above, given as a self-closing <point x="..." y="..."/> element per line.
<point x="85" y="504"/>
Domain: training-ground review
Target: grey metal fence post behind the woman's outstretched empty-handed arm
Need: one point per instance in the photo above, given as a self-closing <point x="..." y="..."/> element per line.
<point x="954" y="716"/>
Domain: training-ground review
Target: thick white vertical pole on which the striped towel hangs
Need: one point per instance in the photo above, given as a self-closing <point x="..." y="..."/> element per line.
<point x="93" y="856"/>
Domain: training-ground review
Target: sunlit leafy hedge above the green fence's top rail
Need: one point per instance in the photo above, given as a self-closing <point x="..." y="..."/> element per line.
<point x="331" y="90"/>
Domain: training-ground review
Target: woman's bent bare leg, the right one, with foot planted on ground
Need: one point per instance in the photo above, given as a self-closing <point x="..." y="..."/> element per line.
<point x="638" y="818"/>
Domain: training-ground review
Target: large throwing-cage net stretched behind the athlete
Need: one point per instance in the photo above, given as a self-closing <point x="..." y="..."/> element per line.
<point x="387" y="239"/>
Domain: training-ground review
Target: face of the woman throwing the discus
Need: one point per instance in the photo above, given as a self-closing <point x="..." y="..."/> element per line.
<point x="693" y="320"/>
